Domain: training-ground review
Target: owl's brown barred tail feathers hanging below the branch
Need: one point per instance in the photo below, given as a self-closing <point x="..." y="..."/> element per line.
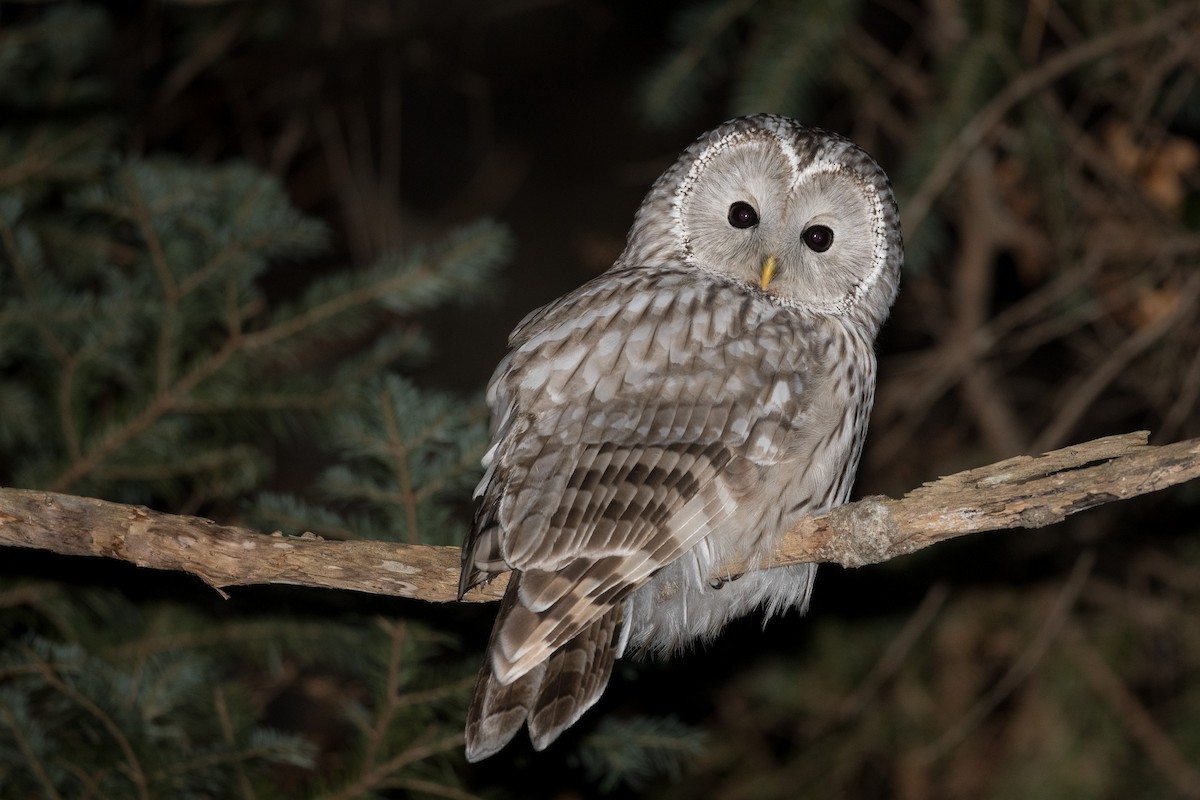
<point x="551" y="697"/>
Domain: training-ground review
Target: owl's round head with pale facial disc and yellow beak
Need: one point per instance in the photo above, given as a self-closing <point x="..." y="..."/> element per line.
<point x="796" y="213"/>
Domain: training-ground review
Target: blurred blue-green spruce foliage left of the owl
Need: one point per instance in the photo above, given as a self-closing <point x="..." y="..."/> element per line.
<point x="143" y="362"/>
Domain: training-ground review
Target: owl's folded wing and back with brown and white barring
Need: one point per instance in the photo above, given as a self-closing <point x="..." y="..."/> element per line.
<point x="631" y="419"/>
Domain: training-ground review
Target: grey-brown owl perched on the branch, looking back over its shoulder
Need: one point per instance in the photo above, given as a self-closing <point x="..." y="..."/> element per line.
<point x="676" y="414"/>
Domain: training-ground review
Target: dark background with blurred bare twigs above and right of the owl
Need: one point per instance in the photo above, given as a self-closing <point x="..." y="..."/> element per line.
<point x="1051" y="297"/>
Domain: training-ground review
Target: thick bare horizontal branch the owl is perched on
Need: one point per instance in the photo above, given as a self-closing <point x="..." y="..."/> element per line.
<point x="1023" y="492"/>
